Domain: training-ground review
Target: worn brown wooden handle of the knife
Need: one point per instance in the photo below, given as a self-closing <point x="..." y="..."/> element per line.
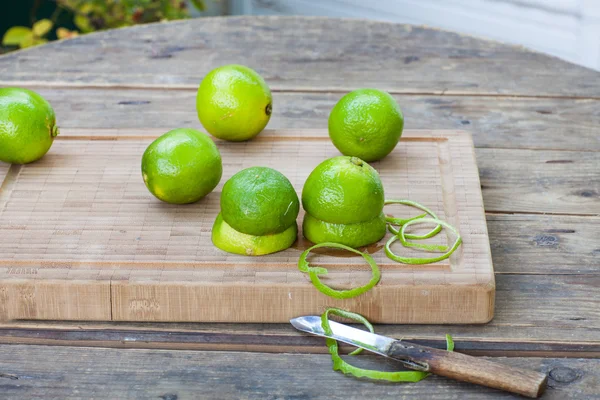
<point x="469" y="369"/>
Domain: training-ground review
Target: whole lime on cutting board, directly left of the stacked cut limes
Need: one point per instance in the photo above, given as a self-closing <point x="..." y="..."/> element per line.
<point x="182" y="166"/>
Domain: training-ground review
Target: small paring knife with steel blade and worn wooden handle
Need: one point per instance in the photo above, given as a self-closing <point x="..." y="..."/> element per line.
<point x="428" y="359"/>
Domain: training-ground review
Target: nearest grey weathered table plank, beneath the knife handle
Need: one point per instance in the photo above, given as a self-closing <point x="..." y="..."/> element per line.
<point x="31" y="372"/>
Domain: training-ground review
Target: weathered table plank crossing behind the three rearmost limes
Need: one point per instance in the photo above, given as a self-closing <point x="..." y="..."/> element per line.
<point x="494" y="122"/>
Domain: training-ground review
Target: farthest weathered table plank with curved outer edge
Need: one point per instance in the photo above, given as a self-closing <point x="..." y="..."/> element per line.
<point x="301" y="53"/>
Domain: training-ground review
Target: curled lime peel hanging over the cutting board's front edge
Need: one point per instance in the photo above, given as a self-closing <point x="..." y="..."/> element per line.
<point x="314" y="273"/>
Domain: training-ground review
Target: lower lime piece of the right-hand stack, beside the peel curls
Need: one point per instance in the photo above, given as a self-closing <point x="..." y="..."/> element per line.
<point x="353" y="235"/>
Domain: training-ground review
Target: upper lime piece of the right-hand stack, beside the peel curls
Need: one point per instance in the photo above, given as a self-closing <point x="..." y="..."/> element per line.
<point x="343" y="190"/>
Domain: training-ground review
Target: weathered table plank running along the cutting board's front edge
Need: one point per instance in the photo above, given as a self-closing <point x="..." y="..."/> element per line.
<point x="535" y="314"/>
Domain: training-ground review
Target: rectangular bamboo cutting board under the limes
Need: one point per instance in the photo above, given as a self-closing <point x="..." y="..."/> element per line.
<point x="83" y="239"/>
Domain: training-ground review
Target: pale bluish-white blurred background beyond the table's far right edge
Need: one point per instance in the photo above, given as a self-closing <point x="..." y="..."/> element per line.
<point x="569" y="29"/>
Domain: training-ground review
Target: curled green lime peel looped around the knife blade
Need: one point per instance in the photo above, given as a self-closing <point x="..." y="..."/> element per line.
<point x="340" y="365"/>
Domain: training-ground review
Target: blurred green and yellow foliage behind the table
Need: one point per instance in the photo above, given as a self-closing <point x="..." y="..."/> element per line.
<point x="94" y="15"/>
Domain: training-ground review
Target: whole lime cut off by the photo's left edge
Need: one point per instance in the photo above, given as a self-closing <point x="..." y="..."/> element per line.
<point x="27" y="126"/>
